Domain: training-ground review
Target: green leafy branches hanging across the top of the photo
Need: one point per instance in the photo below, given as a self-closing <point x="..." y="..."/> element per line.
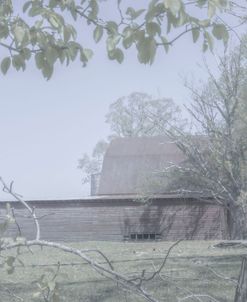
<point x="47" y="30"/>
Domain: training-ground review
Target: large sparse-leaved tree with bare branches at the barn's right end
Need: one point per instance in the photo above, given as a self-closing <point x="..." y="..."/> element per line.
<point x="216" y="162"/>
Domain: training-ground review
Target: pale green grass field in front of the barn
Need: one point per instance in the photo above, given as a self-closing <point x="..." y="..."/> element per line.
<point x="193" y="266"/>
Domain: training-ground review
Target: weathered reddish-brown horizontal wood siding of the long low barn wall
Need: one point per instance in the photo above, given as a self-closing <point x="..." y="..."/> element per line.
<point x="112" y="220"/>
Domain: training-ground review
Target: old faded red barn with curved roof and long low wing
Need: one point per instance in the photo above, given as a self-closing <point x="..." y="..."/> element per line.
<point x="117" y="210"/>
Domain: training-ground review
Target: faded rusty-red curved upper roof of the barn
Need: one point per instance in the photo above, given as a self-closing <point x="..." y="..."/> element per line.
<point x="132" y="164"/>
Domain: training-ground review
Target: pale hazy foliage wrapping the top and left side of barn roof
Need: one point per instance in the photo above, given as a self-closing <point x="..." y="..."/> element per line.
<point x="136" y="115"/>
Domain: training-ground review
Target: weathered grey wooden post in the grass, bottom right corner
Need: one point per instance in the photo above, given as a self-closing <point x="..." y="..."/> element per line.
<point x="241" y="290"/>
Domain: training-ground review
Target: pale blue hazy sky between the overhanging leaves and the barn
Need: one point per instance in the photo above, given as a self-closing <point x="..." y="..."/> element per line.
<point x="47" y="125"/>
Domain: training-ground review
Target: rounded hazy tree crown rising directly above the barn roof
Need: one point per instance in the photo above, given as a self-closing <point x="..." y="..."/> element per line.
<point x="139" y="114"/>
